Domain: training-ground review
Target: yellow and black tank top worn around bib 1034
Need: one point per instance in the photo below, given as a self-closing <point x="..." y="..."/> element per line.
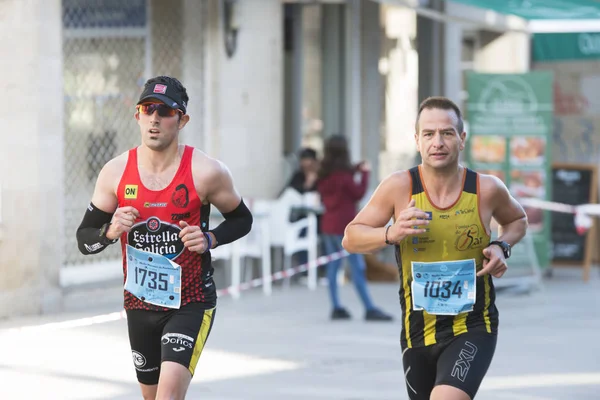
<point x="454" y="233"/>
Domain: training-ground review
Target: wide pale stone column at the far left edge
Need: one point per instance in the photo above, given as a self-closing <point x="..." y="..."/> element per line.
<point x="31" y="157"/>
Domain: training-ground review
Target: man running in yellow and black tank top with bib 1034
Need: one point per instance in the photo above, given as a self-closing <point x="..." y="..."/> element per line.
<point x="441" y="232"/>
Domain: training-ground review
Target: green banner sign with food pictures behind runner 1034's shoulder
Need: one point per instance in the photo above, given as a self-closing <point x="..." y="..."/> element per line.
<point x="510" y="119"/>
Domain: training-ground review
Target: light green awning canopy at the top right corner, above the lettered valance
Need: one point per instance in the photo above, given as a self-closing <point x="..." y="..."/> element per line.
<point x="541" y="9"/>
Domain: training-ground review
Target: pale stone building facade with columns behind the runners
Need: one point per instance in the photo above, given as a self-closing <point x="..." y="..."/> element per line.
<point x="265" y="77"/>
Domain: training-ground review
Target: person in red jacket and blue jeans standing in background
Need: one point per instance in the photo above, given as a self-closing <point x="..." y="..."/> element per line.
<point x="340" y="195"/>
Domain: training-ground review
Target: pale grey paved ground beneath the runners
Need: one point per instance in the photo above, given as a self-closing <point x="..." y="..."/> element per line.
<point x="284" y="347"/>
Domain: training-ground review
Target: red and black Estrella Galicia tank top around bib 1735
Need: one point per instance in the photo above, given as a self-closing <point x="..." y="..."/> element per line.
<point x="157" y="229"/>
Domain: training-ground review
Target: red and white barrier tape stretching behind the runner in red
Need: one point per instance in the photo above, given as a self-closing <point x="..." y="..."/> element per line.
<point x="116" y="316"/>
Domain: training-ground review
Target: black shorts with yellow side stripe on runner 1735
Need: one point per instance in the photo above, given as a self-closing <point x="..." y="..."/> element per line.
<point x="176" y="335"/>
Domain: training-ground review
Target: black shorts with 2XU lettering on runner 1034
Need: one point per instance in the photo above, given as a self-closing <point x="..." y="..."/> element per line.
<point x="461" y="362"/>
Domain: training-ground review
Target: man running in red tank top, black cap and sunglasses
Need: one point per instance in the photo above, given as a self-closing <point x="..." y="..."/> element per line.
<point x="156" y="199"/>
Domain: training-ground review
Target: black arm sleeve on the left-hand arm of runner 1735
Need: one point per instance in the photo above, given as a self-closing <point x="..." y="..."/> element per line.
<point x="89" y="238"/>
